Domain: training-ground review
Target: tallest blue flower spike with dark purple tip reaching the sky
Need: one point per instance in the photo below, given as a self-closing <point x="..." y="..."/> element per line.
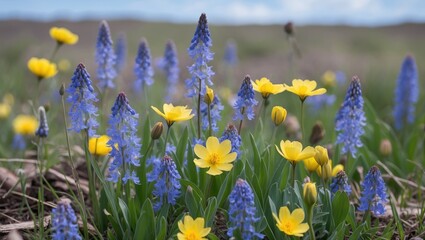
<point x="199" y="51"/>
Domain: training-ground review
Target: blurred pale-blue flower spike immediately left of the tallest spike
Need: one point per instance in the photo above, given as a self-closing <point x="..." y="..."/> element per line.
<point x="170" y="65"/>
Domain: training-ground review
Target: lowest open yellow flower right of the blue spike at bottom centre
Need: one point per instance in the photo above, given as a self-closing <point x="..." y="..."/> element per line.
<point x="291" y="223"/>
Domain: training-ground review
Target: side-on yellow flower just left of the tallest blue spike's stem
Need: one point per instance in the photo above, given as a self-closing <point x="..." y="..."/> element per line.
<point x="174" y="113"/>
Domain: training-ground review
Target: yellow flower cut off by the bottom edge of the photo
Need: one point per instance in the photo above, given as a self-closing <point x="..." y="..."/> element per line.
<point x="192" y="229"/>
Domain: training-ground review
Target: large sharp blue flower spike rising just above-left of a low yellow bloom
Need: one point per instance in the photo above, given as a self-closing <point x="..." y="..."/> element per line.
<point x="82" y="97"/>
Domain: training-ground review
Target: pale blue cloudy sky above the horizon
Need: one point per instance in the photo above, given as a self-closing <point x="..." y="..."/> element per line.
<point x="233" y="12"/>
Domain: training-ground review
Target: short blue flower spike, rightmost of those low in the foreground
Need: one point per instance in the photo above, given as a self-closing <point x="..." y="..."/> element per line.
<point x="374" y="194"/>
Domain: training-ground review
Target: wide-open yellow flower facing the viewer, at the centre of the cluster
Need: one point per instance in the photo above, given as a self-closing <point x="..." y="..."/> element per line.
<point x="215" y="155"/>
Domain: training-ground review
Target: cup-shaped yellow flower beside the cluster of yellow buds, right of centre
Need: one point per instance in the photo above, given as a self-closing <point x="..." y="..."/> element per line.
<point x="294" y="152"/>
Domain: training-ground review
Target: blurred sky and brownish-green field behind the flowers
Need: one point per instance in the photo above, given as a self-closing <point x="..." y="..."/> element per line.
<point x="368" y="38"/>
